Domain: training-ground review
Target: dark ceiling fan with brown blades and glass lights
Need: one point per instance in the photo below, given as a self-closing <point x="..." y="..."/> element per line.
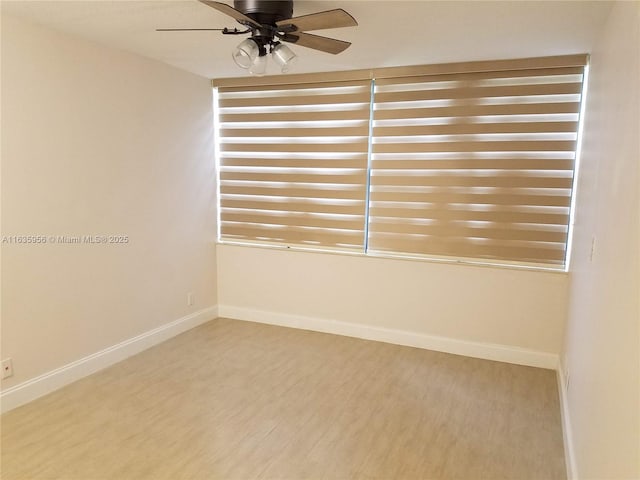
<point x="271" y="22"/>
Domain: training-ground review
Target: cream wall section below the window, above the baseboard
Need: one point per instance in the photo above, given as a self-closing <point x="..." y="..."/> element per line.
<point x="515" y="308"/>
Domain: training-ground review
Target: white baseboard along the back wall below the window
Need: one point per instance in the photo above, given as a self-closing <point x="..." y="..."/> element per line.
<point x="487" y="351"/>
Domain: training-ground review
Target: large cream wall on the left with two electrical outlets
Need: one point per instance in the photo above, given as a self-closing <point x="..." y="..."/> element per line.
<point x="97" y="141"/>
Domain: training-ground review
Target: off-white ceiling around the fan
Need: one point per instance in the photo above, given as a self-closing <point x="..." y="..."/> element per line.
<point x="390" y="33"/>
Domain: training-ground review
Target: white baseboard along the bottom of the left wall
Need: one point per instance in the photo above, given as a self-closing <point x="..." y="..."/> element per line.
<point x="46" y="383"/>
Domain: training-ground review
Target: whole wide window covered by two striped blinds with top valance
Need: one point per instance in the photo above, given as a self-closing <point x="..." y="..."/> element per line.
<point x="468" y="161"/>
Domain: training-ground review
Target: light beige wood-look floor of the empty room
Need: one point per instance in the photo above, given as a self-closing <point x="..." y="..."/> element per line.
<point x="239" y="400"/>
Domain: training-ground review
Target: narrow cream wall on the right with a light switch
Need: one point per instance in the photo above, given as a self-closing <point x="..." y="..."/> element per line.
<point x="603" y="335"/>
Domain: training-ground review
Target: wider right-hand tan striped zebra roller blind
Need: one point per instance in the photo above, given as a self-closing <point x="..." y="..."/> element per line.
<point x="475" y="165"/>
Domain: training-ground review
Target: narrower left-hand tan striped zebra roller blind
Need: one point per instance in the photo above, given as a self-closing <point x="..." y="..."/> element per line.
<point x="293" y="163"/>
